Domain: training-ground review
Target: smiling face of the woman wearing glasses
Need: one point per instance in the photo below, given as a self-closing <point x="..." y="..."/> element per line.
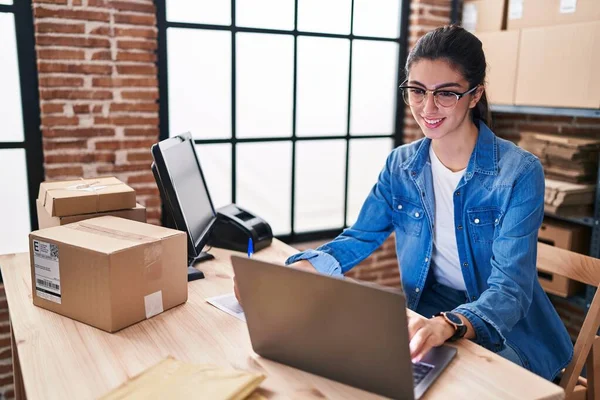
<point x="437" y="121"/>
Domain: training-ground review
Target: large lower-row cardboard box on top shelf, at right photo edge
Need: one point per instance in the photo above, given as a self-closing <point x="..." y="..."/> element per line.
<point x="558" y="66"/>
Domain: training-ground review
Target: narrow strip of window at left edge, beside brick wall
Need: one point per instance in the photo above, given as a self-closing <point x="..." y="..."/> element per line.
<point x="21" y="169"/>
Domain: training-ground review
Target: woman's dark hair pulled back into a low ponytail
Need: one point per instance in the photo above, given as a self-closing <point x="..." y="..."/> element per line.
<point x="463" y="51"/>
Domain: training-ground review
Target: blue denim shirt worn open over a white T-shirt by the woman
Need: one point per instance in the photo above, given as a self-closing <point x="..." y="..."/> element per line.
<point x="498" y="209"/>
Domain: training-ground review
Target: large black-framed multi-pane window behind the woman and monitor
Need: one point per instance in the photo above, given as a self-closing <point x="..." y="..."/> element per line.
<point x="293" y="104"/>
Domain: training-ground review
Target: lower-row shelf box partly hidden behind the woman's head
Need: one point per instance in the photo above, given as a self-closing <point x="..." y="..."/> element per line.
<point x="501" y="54"/>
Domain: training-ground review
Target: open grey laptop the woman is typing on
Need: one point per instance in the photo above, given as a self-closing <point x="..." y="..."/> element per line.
<point x="343" y="330"/>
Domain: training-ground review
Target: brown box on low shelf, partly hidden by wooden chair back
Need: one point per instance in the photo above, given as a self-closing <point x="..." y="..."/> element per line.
<point x="565" y="236"/>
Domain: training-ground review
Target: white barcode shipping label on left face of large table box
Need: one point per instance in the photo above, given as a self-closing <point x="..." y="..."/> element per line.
<point x="47" y="271"/>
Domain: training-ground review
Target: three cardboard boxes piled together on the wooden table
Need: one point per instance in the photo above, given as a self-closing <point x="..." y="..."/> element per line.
<point x="90" y="265"/>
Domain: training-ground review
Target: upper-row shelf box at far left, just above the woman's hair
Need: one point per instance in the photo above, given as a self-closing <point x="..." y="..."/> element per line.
<point x="484" y="15"/>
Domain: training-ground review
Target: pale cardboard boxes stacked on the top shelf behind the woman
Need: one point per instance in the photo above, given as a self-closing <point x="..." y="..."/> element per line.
<point x="547" y="56"/>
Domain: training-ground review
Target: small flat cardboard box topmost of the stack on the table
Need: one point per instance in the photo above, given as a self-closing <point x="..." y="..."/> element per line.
<point x="86" y="196"/>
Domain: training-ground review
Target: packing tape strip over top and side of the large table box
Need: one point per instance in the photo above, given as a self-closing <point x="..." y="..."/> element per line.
<point x="152" y="253"/>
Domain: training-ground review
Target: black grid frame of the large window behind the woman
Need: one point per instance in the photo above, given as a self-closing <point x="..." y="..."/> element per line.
<point x="397" y="135"/>
